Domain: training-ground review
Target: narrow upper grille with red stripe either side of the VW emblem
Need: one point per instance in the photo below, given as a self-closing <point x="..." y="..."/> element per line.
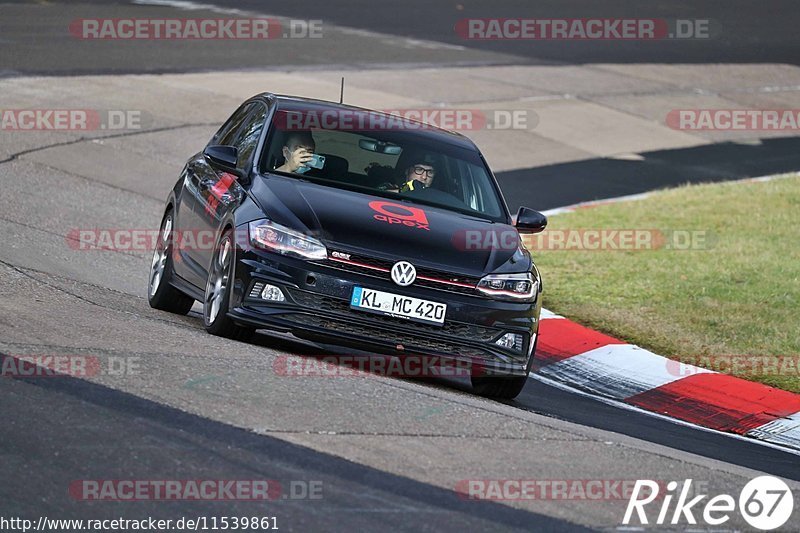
<point x="380" y="268"/>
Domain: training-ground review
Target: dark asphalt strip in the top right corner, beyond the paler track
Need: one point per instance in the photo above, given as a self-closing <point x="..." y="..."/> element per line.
<point x="740" y="31"/>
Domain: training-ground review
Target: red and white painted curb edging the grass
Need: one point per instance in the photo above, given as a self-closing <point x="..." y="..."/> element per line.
<point x="604" y="367"/>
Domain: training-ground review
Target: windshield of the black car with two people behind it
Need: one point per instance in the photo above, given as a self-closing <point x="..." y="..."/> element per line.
<point x="370" y="153"/>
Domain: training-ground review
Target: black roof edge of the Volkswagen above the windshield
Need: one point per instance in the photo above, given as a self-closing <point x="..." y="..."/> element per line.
<point x="298" y="103"/>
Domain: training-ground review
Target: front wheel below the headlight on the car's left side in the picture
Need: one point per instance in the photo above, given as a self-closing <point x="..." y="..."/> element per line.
<point x="217" y="293"/>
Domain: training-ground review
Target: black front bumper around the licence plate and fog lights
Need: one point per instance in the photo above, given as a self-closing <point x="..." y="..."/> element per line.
<point x="317" y="307"/>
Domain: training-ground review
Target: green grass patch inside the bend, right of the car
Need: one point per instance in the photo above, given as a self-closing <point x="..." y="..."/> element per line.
<point x="737" y="294"/>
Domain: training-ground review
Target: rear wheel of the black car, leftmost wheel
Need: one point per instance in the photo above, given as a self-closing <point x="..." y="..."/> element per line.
<point x="160" y="294"/>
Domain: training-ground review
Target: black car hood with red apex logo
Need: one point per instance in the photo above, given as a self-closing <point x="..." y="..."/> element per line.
<point x="390" y="228"/>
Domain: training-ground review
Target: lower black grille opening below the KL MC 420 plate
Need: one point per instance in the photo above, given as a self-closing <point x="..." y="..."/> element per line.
<point x="314" y="300"/>
